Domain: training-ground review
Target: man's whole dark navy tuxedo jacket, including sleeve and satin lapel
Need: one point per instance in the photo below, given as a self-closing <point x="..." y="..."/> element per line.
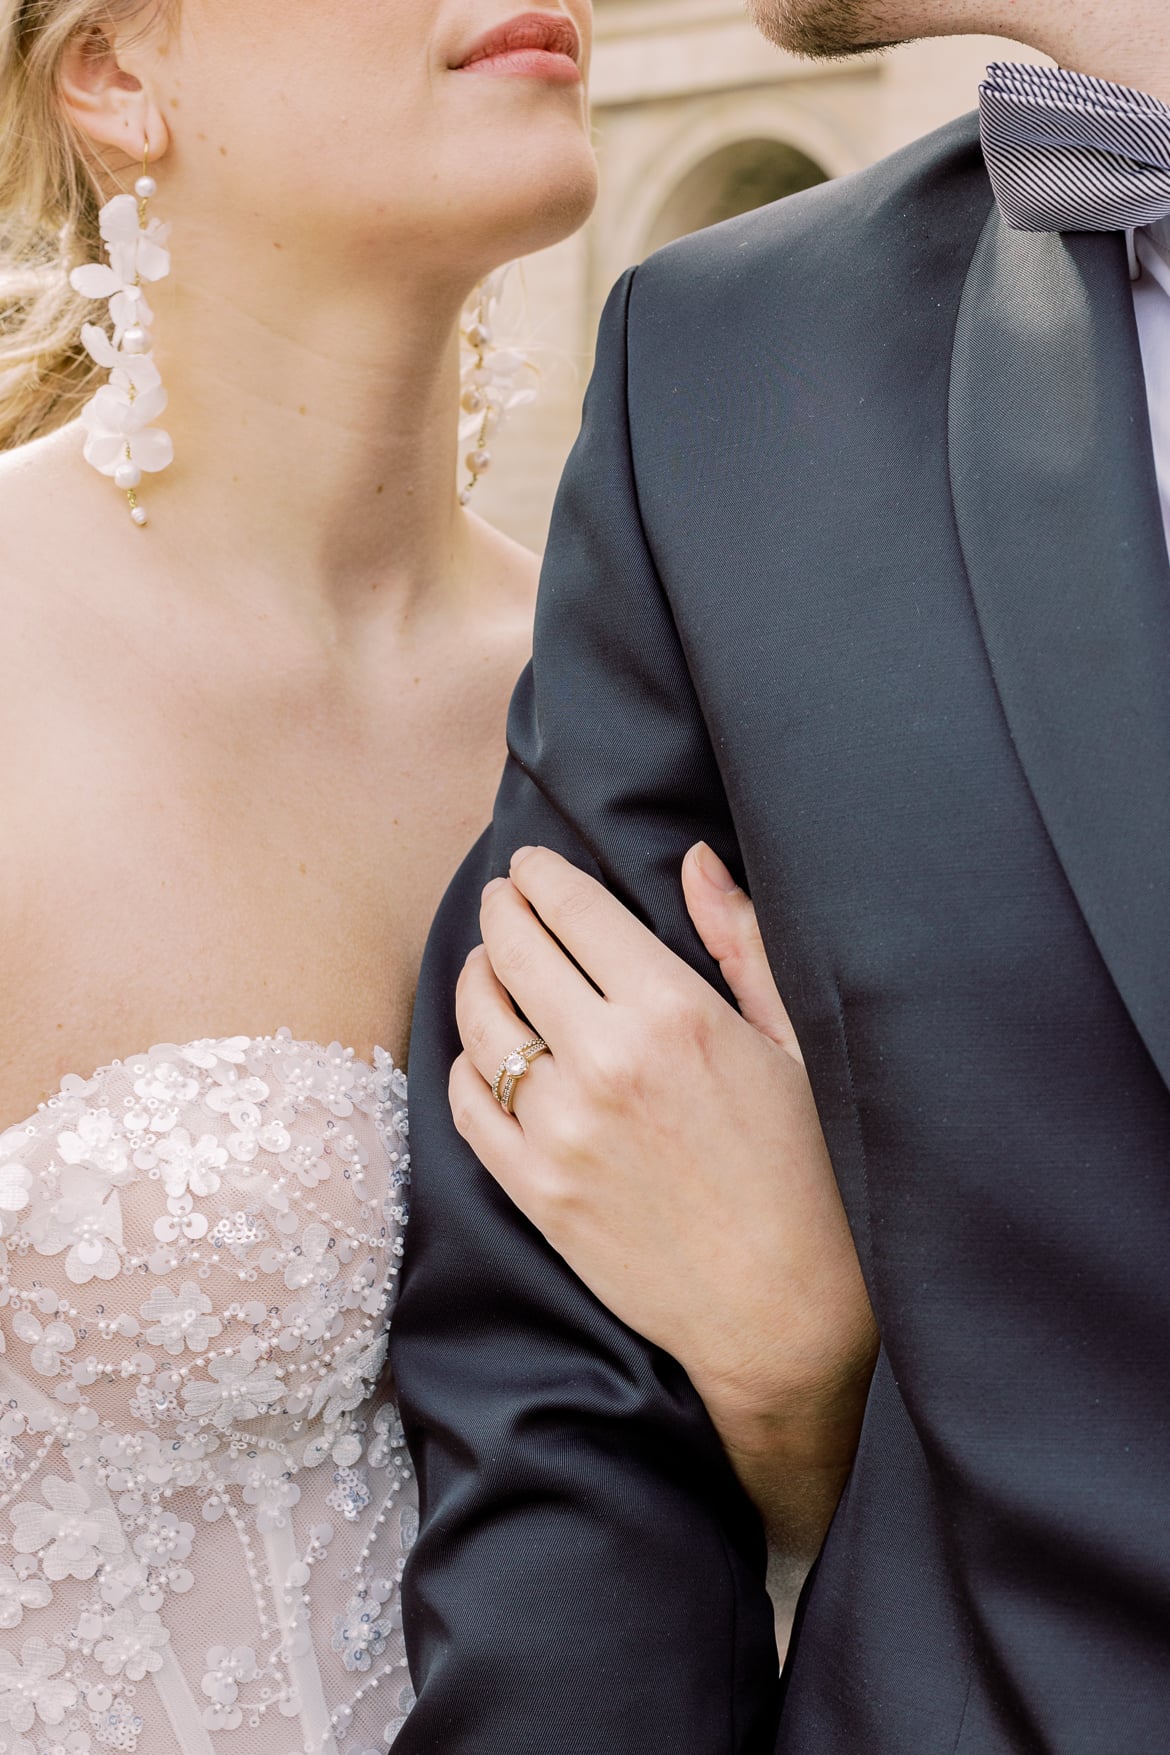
<point x="859" y="573"/>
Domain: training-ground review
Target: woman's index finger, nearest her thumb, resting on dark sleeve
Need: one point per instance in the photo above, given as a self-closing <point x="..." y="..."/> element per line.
<point x="599" y="933"/>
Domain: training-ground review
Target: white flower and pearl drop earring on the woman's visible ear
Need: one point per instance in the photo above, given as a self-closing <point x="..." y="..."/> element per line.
<point x="120" y="440"/>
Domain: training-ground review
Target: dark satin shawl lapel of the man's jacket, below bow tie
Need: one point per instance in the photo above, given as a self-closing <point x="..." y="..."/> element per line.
<point x="1059" y="515"/>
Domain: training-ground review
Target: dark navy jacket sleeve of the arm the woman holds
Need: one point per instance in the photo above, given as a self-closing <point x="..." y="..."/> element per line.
<point x="589" y="1577"/>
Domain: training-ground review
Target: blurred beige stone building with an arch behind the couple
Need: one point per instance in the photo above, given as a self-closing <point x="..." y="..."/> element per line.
<point x="697" y="118"/>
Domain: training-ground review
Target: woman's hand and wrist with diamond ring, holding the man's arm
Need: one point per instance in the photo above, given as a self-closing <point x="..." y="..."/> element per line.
<point x="669" y="1149"/>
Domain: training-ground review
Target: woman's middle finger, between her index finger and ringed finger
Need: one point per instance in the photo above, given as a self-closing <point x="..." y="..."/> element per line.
<point x="532" y="968"/>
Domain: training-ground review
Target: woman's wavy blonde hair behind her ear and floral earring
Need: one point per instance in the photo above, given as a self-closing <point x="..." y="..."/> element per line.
<point x="48" y="215"/>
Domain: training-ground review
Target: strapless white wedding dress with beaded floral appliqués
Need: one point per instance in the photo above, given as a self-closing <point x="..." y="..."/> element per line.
<point x="204" y="1491"/>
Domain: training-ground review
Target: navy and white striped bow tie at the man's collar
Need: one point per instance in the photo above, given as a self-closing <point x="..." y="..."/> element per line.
<point x="1071" y="154"/>
